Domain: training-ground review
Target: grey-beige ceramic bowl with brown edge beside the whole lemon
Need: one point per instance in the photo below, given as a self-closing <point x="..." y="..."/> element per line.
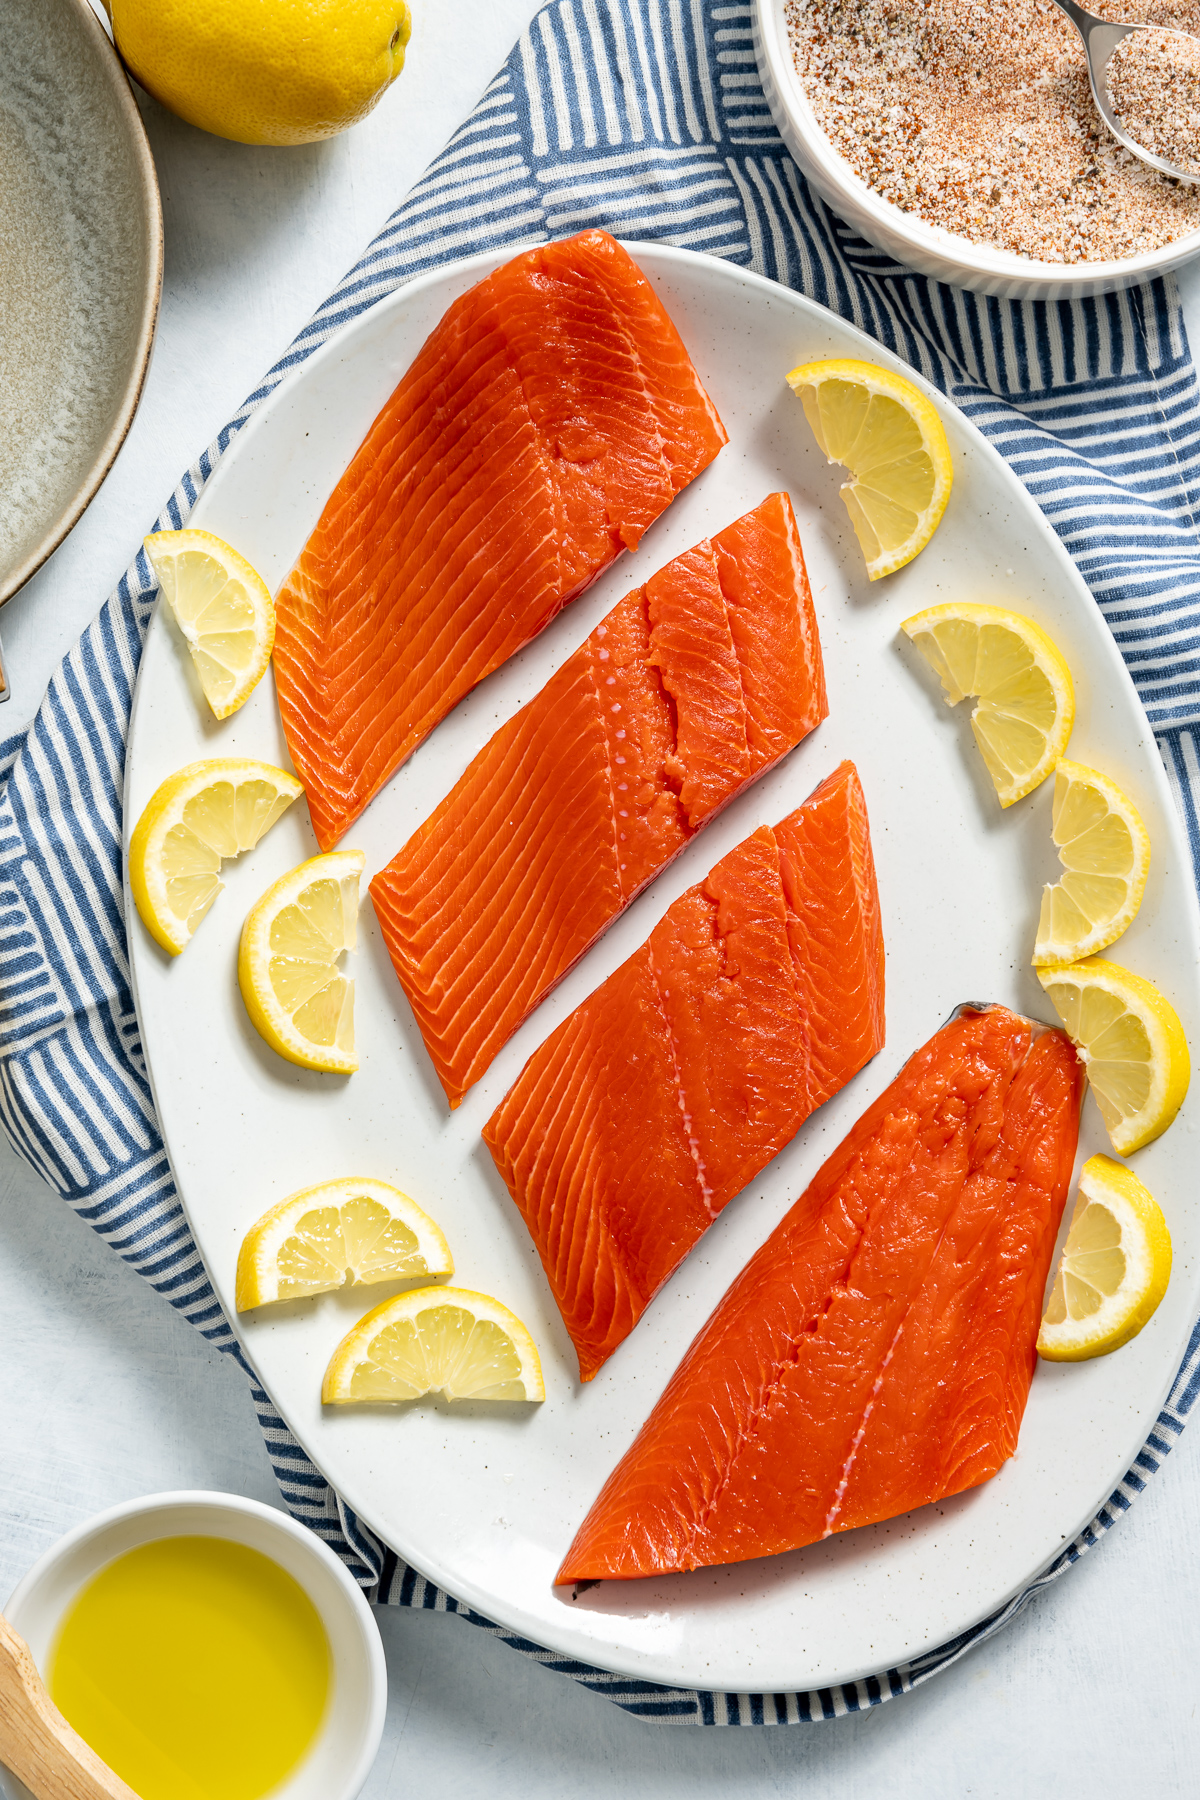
<point x="80" y="271"/>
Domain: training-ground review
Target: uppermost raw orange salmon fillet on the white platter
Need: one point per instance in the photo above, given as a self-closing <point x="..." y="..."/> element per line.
<point x="546" y="424"/>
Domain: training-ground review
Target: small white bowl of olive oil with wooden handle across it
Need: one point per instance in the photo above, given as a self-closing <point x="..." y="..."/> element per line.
<point x="208" y="1648"/>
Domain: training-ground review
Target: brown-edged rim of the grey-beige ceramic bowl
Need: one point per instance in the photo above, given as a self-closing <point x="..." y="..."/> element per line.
<point x="111" y="69"/>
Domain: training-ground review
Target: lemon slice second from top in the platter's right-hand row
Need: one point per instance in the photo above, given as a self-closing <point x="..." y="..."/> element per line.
<point x="1019" y="678"/>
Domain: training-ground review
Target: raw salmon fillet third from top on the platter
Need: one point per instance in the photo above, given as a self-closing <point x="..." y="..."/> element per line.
<point x="755" y="1000"/>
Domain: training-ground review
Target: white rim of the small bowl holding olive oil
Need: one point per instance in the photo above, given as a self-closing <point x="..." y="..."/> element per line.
<point x="235" y="1507"/>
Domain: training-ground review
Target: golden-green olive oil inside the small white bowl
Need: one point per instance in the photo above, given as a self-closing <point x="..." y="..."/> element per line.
<point x="195" y="1668"/>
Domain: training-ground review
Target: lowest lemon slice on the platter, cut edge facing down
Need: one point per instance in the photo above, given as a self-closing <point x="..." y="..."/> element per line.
<point x="434" y="1340"/>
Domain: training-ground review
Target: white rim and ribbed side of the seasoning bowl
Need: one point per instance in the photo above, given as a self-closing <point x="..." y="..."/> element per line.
<point x="902" y="235"/>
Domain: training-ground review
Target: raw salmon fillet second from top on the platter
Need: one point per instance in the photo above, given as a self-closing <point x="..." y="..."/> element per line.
<point x="688" y="692"/>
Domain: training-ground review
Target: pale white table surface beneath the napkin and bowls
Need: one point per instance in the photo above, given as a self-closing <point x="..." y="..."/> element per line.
<point x="107" y="1394"/>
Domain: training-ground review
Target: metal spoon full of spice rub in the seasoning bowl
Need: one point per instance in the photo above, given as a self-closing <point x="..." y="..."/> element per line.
<point x="1147" y="89"/>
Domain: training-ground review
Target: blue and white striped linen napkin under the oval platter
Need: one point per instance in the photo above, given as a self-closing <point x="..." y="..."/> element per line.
<point x="645" y="118"/>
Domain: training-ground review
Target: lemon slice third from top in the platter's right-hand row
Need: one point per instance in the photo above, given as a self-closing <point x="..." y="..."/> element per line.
<point x="1106" y="850"/>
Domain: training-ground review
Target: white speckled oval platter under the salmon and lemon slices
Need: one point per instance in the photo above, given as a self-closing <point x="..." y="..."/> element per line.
<point x="487" y="1500"/>
